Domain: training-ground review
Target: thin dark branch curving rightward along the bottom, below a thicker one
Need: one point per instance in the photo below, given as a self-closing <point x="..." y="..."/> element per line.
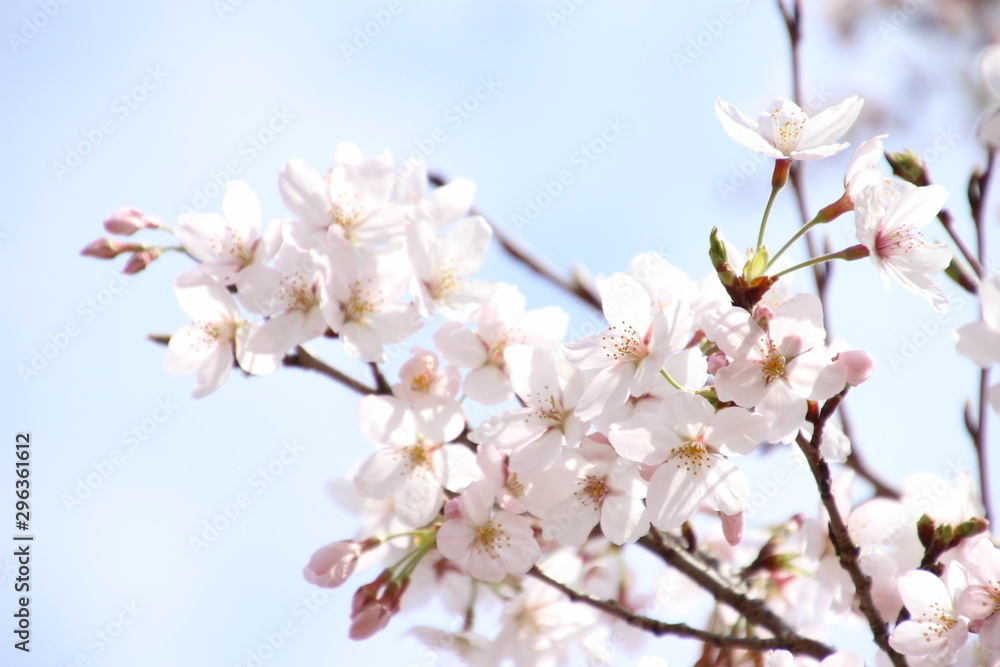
<point x="793" y="644"/>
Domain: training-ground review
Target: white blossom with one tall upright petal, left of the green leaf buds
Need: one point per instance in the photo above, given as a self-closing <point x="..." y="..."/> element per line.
<point x="629" y="354"/>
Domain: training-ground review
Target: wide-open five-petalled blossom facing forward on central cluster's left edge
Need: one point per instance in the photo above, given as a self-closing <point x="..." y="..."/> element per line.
<point x="416" y="461"/>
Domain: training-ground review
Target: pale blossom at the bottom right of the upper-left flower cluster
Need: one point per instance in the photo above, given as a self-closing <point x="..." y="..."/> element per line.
<point x="361" y="306"/>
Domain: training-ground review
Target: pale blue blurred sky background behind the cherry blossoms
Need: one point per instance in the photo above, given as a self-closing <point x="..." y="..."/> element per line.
<point x="156" y="105"/>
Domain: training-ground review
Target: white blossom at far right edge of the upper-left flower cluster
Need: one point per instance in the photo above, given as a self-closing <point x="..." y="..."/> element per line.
<point x="442" y="266"/>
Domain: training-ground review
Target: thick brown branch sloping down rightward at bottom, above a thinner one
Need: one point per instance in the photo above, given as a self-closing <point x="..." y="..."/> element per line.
<point x="754" y="610"/>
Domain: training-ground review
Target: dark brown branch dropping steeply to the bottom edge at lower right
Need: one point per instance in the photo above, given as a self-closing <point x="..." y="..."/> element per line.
<point x="847" y="551"/>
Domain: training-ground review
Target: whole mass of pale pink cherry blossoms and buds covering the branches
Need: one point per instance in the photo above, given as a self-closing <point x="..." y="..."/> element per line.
<point x="625" y="435"/>
